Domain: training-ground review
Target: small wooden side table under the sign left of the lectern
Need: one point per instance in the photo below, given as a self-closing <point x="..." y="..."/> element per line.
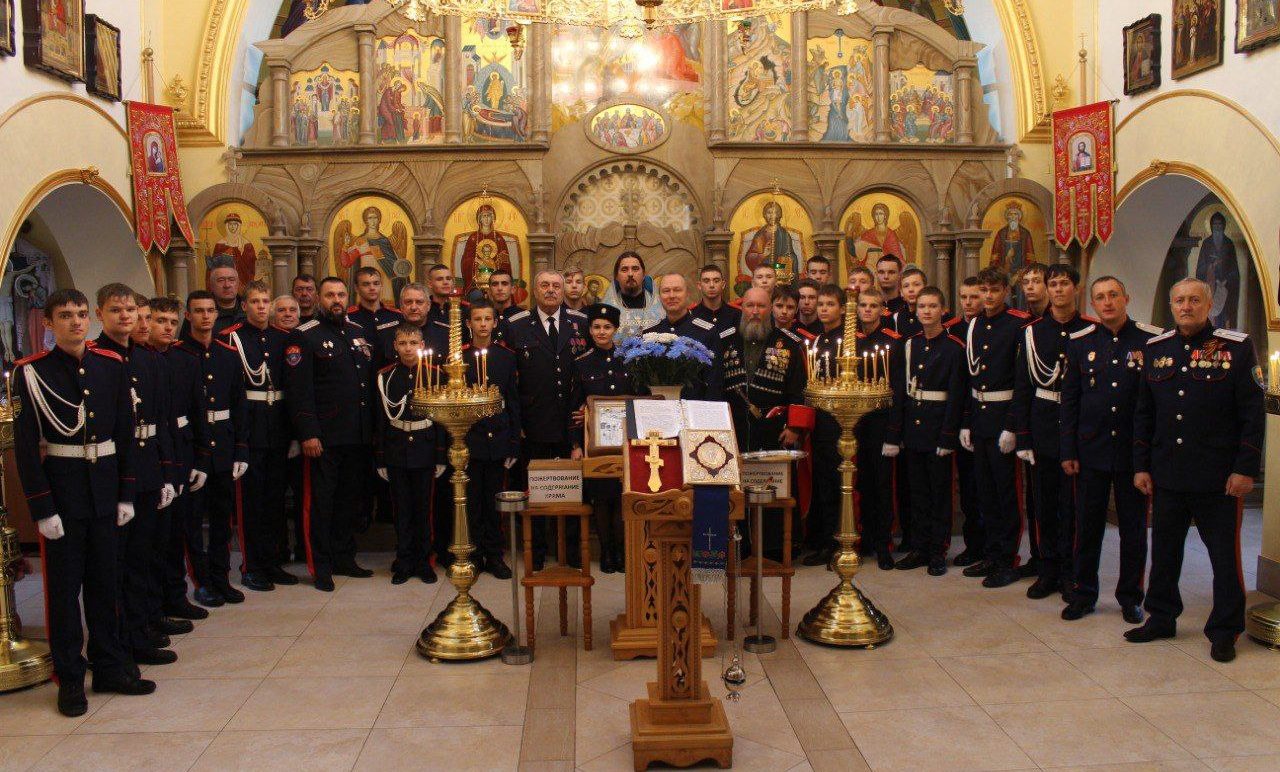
<point x="561" y="575"/>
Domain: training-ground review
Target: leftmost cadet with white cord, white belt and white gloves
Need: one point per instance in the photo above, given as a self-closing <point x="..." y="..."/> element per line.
<point x="72" y="442"/>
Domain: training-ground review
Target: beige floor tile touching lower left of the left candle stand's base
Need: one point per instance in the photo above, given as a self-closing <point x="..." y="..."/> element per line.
<point x="350" y="656"/>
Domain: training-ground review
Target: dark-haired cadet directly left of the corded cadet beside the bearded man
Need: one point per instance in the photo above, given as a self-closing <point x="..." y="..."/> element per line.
<point x="227" y="453"/>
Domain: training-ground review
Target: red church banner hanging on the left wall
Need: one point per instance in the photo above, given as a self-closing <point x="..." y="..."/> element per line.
<point x="158" y="199"/>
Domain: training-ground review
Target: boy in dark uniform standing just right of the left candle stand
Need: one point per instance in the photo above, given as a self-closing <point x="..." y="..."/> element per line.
<point x="495" y="442"/>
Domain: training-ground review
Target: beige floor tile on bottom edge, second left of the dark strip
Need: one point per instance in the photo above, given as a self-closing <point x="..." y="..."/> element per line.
<point x="284" y="751"/>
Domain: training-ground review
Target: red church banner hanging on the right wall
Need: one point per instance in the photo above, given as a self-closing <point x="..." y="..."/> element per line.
<point x="1085" y="173"/>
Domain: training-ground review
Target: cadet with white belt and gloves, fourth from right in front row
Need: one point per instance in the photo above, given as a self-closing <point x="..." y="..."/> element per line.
<point x="991" y="350"/>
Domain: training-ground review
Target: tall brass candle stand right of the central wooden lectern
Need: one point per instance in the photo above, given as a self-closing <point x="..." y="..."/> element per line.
<point x="851" y="390"/>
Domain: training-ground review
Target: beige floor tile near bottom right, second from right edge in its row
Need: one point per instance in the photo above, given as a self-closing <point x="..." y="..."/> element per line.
<point x="1059" y="734"/>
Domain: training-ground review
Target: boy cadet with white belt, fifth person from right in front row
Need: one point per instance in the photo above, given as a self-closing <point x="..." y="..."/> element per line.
<point x="926" y="424"/>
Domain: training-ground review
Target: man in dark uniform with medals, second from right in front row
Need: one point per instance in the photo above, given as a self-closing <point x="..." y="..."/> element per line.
<point x="1100" y="392"/>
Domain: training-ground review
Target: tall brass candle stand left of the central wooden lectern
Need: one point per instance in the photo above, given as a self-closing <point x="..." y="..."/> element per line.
<point x="465" y="629"/>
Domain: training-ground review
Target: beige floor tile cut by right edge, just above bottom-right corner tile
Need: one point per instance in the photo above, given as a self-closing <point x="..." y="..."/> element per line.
<point x="1215" y="724"/>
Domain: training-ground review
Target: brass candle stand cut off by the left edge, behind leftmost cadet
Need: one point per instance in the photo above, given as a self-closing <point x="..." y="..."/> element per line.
<point x="22" y="663"/>
